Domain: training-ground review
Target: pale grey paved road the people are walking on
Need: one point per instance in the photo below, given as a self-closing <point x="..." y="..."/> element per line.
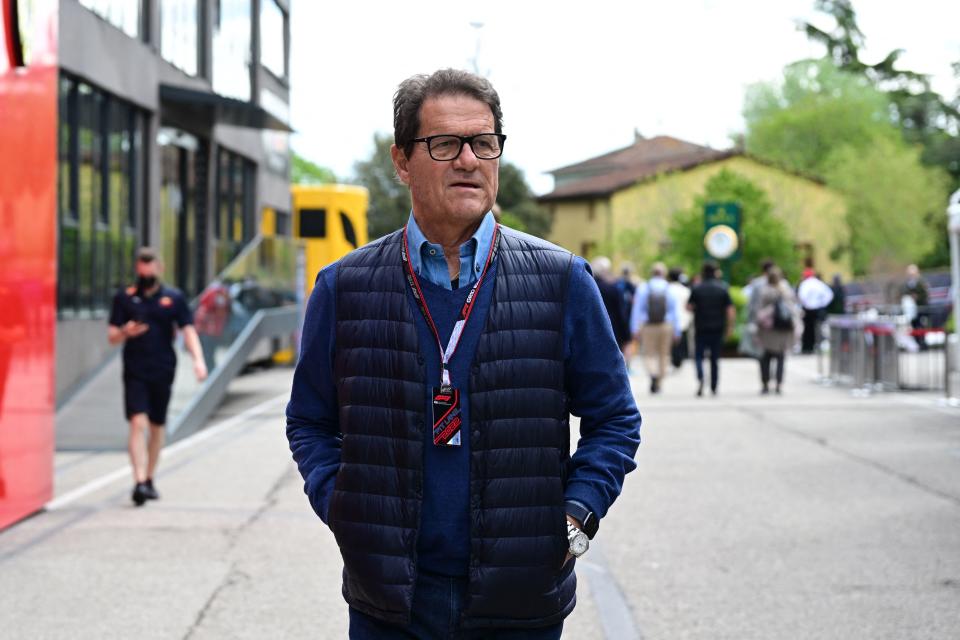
<point x="811" y="515"/>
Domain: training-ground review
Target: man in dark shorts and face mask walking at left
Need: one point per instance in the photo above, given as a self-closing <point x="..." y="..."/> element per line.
<point x="144" y="318"/>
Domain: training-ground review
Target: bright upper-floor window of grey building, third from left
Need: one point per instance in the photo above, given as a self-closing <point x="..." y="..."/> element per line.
<point x="232" y="27"/>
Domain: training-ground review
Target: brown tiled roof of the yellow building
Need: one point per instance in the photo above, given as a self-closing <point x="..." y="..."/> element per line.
<point x="616" y="170"/>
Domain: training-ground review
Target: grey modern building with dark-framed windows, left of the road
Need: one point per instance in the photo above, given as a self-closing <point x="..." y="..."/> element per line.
<point x="173" y="132"/>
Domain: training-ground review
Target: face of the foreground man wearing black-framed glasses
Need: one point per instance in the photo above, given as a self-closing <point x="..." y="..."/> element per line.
<point x="460" y="191"/>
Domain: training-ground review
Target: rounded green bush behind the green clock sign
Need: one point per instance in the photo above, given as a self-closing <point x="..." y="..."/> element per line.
<point x="763" y="234"/>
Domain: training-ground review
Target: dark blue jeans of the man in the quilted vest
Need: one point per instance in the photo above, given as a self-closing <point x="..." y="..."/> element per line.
<point x="437" y="605"/>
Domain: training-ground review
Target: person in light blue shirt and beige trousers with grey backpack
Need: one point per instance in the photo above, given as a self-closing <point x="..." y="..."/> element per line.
<point x="655" y="323"/>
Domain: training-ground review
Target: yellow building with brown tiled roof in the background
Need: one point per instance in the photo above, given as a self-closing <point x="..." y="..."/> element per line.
<point x="626" y="199"/>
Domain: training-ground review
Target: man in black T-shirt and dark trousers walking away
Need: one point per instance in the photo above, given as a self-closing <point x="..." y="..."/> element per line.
<point x="713" y="318"/>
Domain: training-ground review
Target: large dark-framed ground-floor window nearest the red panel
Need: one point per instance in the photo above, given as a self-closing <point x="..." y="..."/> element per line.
<point x="99" y="161"/>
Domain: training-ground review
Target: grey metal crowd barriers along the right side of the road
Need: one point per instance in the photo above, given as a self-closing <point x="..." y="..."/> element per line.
<point x="870" y="352"/>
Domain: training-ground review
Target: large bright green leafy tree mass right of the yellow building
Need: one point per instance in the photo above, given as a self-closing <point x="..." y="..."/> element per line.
<point x="832" y="125"/>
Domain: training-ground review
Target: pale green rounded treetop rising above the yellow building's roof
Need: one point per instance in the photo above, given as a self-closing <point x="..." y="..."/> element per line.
<point x="816" y="108"/>
